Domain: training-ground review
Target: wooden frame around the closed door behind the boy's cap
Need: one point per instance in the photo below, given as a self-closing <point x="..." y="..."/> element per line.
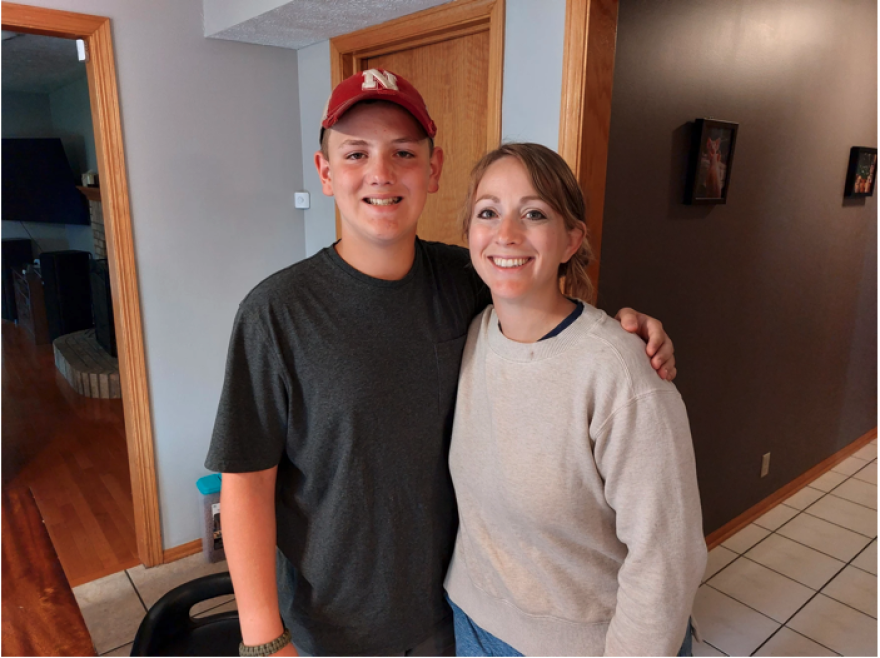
<point x="456" y="19"/>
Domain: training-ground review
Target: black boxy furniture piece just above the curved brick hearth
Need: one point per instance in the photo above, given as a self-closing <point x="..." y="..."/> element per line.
<point x="67" y="289"/>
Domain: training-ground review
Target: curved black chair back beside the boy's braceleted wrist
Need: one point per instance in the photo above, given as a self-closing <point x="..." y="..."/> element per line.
<point x="169" y="630"/>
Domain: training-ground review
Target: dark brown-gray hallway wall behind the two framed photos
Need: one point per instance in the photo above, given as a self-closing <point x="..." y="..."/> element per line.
<point x="771" y="299"/>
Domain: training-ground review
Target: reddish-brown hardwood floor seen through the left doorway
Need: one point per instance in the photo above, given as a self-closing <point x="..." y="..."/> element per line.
<point x="70" y="450"/>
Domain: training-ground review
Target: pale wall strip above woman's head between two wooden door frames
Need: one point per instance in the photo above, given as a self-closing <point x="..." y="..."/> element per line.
<point x="534" y="36"/>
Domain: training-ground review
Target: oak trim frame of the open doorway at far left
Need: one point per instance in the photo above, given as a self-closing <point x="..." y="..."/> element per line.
<point x="104" y="98"/>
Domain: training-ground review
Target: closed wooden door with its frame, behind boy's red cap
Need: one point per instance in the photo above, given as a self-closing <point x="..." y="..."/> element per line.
<point x="453" y="55"/>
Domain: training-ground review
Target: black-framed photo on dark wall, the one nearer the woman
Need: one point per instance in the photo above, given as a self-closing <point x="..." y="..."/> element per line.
<point x="711" y="161"/>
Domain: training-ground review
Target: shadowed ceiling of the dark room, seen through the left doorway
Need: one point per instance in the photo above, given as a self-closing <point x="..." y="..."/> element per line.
<point x="39" y="65"/>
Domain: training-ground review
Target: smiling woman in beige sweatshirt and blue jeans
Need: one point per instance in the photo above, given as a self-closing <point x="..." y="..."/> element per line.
<point x="572" y="461"/>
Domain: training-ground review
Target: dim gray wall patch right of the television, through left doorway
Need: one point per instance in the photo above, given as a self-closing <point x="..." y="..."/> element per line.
<point x="72" y="119"/>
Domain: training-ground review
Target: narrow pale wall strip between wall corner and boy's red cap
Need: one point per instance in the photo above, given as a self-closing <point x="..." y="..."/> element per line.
<point x="314" y="90"/>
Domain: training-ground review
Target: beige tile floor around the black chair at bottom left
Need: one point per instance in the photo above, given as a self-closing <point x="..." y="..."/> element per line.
<point x="114" y="606"/>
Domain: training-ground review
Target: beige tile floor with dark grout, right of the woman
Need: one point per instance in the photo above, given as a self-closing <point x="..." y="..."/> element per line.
<point x="802" y="579"/>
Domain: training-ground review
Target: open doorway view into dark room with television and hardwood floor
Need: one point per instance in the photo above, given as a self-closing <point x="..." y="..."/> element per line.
<point x="62" y="440"/>
